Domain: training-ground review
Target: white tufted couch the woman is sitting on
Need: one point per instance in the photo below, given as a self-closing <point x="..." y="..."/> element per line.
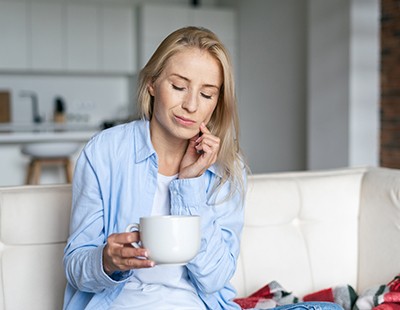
<point x="306" y="230"/>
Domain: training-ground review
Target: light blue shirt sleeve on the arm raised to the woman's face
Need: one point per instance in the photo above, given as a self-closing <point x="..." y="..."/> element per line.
<point x="222" y="218"/>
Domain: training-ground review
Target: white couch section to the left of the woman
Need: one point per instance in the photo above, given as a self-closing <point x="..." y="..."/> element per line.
<point x="34" y="225"/>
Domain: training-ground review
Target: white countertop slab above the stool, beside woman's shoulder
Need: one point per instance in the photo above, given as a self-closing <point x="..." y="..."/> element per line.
<point x="17" y="133"/>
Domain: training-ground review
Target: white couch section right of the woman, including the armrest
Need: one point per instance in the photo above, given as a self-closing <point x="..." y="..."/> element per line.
<point x="313" y="230"/>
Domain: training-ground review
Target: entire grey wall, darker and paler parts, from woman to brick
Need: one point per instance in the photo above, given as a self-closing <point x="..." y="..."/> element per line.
<point x="308" y="83"/>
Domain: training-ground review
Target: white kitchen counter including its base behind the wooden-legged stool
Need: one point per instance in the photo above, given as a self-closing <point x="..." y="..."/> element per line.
<point x="45" y="137"/>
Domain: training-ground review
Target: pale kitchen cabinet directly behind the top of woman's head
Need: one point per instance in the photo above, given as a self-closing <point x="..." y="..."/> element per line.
<point x="157" y="21"/>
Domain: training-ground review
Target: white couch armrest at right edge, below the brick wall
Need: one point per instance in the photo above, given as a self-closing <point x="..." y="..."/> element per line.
<point x="379" y="227"/>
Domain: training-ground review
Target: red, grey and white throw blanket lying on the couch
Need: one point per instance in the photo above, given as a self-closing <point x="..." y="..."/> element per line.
<point x="382" y="297"/>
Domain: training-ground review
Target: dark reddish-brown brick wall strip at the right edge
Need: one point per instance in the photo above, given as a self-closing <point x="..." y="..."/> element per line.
<point x="390" y="84"/>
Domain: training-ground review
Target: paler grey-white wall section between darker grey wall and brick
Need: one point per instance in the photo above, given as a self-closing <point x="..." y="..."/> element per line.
<point x="343" y="105"/>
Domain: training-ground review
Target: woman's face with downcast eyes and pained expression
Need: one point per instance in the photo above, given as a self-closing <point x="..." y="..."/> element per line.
<point x="186" y="93"/>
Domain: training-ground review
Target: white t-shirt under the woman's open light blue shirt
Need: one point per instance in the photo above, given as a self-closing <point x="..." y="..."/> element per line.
<point x="163" y="286"/>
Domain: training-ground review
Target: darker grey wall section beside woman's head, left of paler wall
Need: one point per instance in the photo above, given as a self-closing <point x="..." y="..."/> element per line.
<point x="272" y="83"/>
